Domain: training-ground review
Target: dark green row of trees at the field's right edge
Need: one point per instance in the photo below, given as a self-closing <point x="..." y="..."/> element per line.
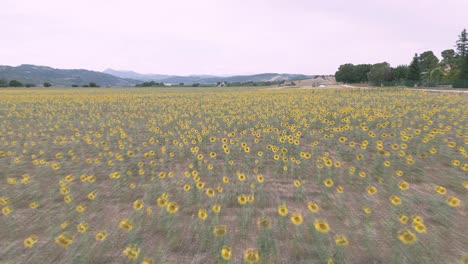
<point x="425" y="69"/>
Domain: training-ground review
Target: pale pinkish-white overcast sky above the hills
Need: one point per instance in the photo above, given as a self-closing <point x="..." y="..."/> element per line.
<point x="225" y="36"/>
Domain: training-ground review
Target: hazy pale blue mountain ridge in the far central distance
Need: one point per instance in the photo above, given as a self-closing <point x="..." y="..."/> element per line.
<point x="208" y="79"/>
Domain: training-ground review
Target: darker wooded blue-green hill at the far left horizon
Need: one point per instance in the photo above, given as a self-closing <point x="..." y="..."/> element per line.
<point x="58" y="77"/>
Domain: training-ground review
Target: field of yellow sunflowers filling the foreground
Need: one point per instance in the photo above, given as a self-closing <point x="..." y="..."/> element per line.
<point x="233" y="176"/>
